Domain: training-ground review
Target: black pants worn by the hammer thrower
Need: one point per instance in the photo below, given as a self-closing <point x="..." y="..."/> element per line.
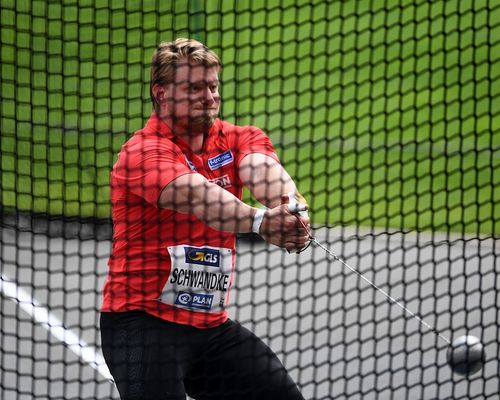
<point x="154" y="359"/>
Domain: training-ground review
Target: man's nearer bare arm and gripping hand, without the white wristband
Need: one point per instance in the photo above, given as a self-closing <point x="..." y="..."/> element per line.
<point x="221" y="210"/>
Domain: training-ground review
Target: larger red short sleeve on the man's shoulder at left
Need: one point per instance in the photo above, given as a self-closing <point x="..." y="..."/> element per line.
<point x="145" y="167"/>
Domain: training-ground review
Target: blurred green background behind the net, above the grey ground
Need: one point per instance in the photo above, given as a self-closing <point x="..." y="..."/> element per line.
<point x="386" y="113"/>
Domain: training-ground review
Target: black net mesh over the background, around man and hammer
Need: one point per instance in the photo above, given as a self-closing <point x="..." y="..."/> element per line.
<point x="386" y="114"/>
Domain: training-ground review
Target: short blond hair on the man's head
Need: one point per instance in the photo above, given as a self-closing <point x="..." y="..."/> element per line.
<point x="168" y="54"/>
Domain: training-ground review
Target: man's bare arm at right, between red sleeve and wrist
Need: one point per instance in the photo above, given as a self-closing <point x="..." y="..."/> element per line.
<point x="266" y="179"/>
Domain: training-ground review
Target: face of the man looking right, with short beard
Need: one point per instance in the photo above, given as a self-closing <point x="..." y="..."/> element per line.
<point x="193" y="98"/>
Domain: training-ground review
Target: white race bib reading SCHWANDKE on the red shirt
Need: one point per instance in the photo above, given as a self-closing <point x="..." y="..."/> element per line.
<point x="199" y="279"/>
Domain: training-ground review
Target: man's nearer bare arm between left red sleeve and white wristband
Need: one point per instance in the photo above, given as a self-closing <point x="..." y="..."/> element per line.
<point x="216" y="207"/>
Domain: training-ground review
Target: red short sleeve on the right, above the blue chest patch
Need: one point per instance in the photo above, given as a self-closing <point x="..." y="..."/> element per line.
<point x="253" y="140"/>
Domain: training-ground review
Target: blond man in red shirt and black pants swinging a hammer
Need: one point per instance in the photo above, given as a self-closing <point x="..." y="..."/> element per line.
<point x="176" y="204"/>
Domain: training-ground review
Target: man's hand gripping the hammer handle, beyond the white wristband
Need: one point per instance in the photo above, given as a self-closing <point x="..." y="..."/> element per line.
<point x="284" y="229"/>
